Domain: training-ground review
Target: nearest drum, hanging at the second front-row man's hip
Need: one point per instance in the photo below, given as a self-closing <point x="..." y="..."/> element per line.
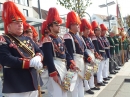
<point x="70" y="81"/>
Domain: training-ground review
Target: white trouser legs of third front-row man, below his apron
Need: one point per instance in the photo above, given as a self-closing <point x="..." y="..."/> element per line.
<point x="79" y="89"/>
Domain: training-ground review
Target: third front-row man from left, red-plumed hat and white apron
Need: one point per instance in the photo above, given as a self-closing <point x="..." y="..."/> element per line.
<point x="76" y="49"/>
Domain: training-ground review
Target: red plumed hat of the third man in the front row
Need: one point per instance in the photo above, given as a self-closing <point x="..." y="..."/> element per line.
<point x="72" y="18"/>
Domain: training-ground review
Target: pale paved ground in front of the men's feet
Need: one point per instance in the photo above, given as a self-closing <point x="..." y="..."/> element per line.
<point x="116" y="87"/>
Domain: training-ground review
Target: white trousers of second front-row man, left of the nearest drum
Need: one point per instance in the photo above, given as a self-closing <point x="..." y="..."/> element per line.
<point x="54" y="90"/>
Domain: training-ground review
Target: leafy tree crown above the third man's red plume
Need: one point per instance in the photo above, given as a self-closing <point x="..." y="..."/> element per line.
<point x="79" y="6"/>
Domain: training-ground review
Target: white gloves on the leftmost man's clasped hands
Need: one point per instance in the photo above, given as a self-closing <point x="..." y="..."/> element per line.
<point x="36" y="62"/>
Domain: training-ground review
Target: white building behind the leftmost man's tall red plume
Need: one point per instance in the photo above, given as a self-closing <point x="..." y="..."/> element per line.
<point x="25" y="6"/>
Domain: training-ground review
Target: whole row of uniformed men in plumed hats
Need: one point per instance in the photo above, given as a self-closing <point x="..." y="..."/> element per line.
<point x="87" y="52"/>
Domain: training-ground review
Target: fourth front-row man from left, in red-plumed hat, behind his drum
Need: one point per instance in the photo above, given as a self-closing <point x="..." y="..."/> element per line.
<point x="85" y="27"/>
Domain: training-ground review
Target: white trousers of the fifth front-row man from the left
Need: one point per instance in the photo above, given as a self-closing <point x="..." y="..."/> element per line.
<point x="99" y="72"/>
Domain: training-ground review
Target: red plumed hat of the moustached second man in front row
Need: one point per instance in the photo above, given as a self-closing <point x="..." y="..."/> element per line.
<point x="53" y="16"/>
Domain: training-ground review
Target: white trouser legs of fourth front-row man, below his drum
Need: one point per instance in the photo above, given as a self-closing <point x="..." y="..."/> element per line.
<point x="89" y="83"/>
